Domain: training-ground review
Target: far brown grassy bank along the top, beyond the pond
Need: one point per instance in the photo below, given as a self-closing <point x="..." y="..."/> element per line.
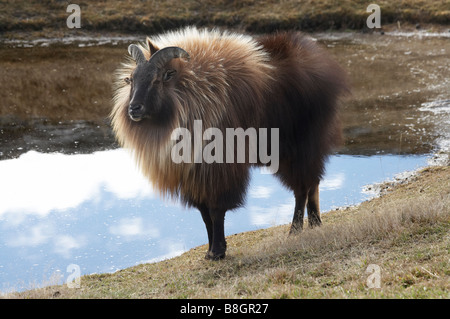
<point x="250" y="15"/>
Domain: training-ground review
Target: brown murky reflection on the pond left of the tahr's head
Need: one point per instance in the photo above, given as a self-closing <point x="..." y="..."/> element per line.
<point x="57" y="83"/>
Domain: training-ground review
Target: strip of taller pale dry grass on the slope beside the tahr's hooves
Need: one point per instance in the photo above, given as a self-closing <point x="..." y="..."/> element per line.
<point x="367" y="225"/>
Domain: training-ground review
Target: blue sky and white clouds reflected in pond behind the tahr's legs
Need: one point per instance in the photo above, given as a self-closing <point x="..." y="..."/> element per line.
<point x="97" y="211"/>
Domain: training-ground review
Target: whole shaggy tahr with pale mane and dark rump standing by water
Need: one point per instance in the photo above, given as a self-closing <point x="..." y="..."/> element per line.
<point x="229" y="80"/>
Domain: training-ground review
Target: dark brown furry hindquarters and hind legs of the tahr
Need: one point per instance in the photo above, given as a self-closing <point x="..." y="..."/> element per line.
<point x="304" y="105"/>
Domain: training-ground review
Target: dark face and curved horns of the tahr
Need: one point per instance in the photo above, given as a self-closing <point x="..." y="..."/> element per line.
<point x="151" y="79"/>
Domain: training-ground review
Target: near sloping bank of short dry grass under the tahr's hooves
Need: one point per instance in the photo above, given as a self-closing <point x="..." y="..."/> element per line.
<point x="406" y="232"/>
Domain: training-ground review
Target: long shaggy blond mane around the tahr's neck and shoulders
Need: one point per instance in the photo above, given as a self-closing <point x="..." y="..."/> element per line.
<point x="225" y="69"/>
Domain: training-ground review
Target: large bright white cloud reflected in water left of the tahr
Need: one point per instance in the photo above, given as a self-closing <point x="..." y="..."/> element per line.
<point x="38" y="183"/>
